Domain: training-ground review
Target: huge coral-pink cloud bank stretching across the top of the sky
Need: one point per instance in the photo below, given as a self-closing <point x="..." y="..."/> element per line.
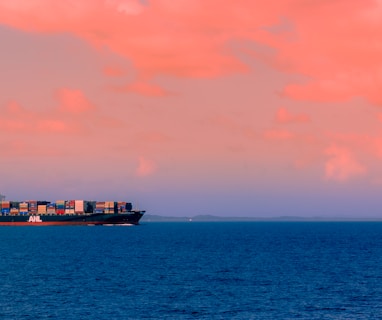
<point x="340" y="59"/>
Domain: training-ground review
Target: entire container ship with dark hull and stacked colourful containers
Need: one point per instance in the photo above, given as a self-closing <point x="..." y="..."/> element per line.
<point x="67" y="212"/>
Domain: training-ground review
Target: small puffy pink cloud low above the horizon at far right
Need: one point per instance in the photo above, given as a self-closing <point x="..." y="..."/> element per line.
<point x="342" y="166"/>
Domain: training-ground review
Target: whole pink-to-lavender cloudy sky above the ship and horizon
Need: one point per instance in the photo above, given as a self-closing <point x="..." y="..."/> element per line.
<point x="231" y="108"/>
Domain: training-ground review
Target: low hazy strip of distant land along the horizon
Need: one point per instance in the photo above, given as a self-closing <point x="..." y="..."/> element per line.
<point x="211" y="218"/>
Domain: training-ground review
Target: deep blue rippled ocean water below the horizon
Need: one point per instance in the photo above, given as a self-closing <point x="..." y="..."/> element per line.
<point x="217" y="270"/>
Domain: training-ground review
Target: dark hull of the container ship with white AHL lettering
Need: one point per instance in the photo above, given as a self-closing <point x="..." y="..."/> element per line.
<point x="129" y="218"/>
